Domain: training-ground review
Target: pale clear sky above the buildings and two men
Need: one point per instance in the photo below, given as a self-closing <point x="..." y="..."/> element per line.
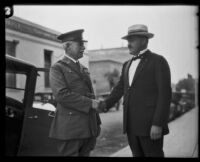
<point x="175" y="28"/>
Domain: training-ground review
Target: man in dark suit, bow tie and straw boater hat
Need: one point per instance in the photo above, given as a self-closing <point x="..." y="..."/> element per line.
<point x="145" y="84"/>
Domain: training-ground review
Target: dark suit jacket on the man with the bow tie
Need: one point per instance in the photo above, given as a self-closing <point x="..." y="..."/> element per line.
<point x="147" y="100"/>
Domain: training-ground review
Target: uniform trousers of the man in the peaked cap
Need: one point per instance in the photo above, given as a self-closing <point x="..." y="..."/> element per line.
<point x="76" y="147"/>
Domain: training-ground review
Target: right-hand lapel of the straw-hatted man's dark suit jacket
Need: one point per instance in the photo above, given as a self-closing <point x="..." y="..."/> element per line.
<point x="140" y="67"/>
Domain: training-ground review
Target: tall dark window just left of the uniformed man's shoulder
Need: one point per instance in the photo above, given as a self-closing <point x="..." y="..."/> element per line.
<point x="47" y="64"/>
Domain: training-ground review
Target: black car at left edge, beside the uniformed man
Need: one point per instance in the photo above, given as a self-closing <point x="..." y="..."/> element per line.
<point x="26" y="127"/>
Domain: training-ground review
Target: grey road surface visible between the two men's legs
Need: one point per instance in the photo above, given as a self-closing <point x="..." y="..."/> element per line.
<point x="111" y="138"/>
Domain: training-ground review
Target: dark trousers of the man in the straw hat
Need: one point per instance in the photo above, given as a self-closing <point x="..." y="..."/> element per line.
<point x="144" y="146"/>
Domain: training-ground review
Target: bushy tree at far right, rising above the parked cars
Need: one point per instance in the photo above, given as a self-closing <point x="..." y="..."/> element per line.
<point x="187" y="83"/>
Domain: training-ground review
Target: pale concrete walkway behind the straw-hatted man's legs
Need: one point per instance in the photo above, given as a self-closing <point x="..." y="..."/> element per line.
<point x="182" y="141"/>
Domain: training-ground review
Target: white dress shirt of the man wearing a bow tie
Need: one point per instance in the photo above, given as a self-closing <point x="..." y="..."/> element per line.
<point x="133" y="67"/>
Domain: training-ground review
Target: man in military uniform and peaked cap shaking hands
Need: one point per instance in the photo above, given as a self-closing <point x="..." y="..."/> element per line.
<point x="76" y="124"/>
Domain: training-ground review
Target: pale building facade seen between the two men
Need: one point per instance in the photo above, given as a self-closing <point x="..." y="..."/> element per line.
<point x="104" y="61"/>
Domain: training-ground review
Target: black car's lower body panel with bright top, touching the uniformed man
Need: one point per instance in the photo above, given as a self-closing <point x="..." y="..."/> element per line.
<point x="36" y="141"/>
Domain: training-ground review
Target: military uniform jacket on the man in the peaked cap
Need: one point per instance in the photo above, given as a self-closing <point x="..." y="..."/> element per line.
<point x="72" y="88"/>
